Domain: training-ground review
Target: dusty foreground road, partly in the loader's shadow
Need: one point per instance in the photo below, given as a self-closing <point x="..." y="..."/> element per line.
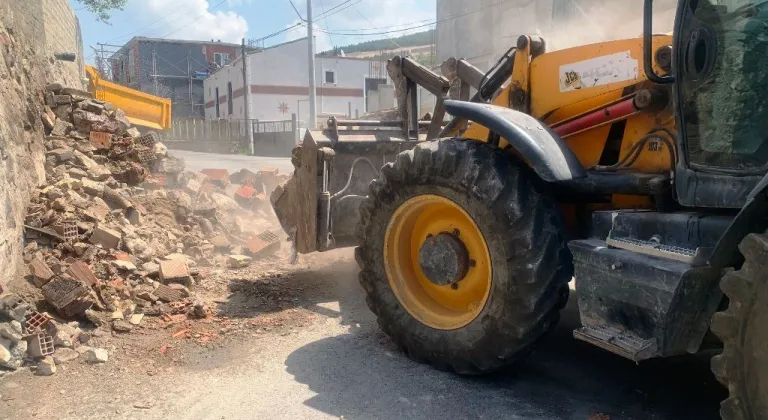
<point x="341" y="366"/>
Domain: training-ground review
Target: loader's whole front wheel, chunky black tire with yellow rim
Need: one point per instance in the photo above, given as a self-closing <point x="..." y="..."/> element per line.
<point x="463" y="256"/>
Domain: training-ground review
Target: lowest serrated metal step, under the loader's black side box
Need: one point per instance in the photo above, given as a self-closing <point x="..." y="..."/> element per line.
<point x="624" y="343"/>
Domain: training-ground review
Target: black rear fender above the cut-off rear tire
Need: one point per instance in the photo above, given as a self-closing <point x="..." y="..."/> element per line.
<point x="753" y="218"/>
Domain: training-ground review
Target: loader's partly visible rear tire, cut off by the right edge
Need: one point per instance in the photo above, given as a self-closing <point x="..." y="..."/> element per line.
<point x="743" y="327"/>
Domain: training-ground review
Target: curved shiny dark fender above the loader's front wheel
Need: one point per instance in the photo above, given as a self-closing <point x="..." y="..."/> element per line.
<point x="539" y="146"/>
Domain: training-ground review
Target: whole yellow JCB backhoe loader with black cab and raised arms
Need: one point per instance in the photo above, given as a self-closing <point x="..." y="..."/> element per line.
<point x="636" y="166"/>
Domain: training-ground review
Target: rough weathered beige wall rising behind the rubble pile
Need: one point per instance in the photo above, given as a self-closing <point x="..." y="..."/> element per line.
<point x="31" y="31"/>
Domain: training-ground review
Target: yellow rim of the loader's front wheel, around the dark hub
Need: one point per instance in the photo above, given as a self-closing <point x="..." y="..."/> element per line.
<point x="442" y="307"/>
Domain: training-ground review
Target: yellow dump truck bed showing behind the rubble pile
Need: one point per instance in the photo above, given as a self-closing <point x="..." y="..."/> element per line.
<point x="141" y="108"/>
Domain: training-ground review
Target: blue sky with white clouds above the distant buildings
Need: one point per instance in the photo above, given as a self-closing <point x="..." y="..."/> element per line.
<point x="231" y="20"/>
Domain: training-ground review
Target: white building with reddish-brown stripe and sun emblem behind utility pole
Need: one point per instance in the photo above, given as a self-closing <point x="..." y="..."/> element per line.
<point x="279" y="85"/>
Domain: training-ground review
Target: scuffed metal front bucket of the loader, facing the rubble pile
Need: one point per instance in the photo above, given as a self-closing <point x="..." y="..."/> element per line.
<point x="318" y="206"/>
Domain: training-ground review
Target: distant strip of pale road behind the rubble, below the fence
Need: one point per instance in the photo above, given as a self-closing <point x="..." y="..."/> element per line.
<point x="197" y="161"/>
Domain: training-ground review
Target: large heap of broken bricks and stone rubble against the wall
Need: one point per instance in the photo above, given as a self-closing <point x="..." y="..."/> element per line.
<point x="120" y="232"/>
